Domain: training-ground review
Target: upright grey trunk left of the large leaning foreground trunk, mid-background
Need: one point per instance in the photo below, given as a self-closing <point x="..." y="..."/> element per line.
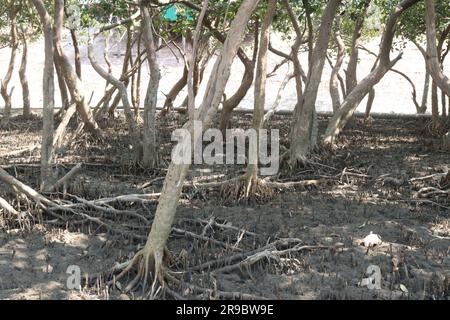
<point x="150" y="156"/>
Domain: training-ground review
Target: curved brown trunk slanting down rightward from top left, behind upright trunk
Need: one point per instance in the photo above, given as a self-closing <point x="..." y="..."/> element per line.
<point x="73" y="82"/>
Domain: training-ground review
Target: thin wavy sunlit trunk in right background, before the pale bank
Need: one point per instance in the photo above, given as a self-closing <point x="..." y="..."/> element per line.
<point x="334" y="80"/>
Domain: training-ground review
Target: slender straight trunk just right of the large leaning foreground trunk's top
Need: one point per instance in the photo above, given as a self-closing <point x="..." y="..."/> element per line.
<point x="260" y="88"/>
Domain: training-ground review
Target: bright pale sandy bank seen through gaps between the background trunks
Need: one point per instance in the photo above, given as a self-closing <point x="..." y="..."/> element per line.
<point x="393" y="88"/>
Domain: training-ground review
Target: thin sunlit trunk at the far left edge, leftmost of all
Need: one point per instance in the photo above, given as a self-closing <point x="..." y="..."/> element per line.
<point x="5" y="81"/>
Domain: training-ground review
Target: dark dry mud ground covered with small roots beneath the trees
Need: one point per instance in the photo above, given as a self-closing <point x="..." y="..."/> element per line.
<point x="351" y="199"/>
